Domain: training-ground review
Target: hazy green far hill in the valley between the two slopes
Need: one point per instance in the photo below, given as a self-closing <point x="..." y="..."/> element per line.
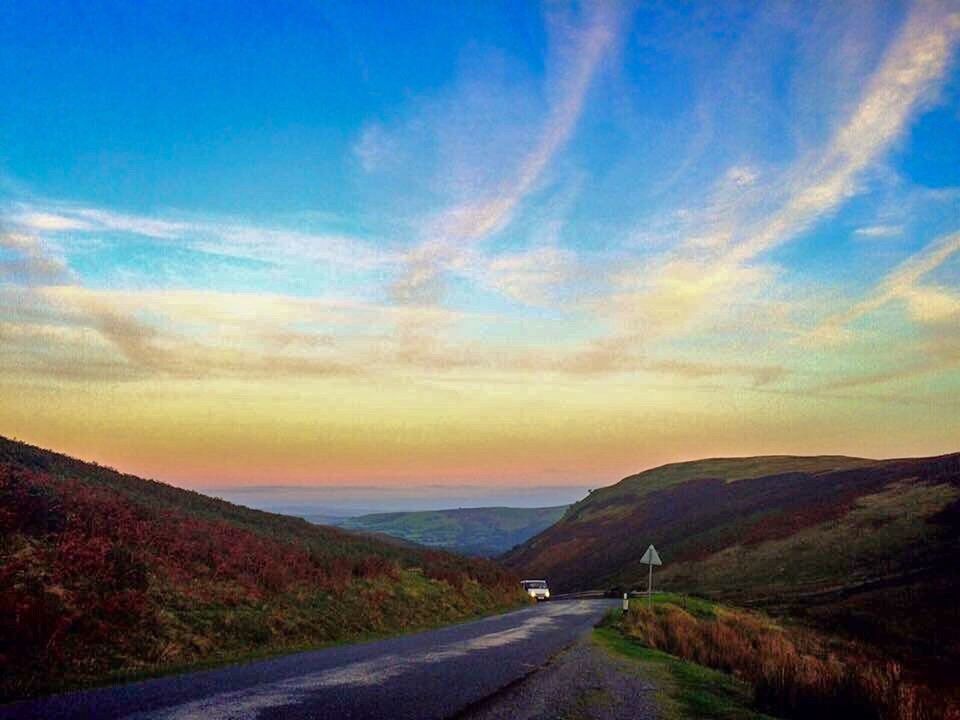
<point x="471" y="531"/>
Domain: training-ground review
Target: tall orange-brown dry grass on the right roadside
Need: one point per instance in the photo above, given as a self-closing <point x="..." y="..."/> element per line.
<point x="795" y="673"/>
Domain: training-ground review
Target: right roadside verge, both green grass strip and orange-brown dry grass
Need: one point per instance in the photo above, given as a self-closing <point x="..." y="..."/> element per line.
<point x="783" y="669"/>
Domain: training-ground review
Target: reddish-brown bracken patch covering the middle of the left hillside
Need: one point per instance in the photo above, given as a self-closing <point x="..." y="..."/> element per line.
<point x="96" y="537"/>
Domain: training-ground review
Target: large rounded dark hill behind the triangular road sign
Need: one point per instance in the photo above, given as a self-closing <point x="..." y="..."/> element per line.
<point x="865" y="547"/>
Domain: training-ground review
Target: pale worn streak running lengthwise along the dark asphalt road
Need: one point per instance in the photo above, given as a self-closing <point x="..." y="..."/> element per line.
<point x="248" y="703"/>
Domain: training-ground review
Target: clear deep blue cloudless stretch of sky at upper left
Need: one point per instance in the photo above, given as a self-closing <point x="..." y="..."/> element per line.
<point x="160" y="105"/>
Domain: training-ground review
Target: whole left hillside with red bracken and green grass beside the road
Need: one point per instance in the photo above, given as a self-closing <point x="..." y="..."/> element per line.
<point x="105" y="576"/>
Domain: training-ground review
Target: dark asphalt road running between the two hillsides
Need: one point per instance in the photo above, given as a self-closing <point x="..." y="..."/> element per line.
<point x="434" y="674"/>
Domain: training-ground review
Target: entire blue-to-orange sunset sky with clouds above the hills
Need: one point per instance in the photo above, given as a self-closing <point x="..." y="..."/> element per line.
<point x="489" y="244"/>
